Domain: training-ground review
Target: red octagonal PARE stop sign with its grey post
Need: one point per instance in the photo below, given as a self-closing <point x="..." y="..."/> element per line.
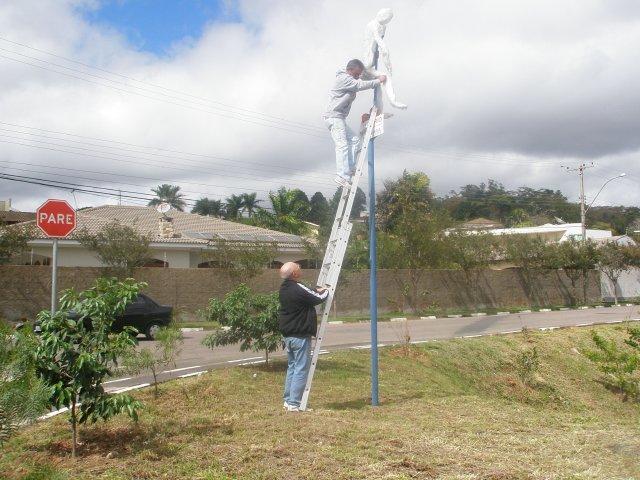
<point x="56" y="219"/>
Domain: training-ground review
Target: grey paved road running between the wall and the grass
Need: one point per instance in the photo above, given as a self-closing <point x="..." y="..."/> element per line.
<point x="195" y="358"/>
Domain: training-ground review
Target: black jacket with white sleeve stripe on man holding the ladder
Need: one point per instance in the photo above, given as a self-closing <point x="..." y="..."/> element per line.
<point x="297" y="314"/>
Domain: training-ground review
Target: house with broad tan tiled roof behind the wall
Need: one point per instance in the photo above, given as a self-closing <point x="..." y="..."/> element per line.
<point x="177" y="239"/>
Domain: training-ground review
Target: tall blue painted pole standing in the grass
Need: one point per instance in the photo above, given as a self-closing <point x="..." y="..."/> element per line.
<point x="373" y="262"/>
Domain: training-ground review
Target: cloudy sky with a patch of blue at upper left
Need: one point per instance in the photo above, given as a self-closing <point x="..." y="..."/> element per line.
<point x="226" y="97"/>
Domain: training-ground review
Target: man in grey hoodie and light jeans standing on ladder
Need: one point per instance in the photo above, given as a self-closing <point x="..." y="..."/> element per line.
<point x="341" y="97"/>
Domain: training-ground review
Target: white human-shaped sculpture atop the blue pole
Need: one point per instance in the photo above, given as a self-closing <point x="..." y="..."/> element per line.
<point x="375" y="45"/>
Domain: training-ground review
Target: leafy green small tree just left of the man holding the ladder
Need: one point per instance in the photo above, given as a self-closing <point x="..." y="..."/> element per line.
<point x="246" y="318"/>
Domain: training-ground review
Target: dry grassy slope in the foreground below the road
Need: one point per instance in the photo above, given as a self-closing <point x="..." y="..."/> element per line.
<point x="451" y="410"/>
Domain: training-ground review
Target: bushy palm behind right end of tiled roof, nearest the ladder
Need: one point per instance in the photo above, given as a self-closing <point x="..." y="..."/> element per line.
<point x="289" y="212"/>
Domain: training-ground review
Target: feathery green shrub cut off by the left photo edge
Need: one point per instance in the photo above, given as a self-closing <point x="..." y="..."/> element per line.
<point x="23" y="396"/>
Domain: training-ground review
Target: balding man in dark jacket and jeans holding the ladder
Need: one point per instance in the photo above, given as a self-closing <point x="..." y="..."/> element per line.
<point x="298" y="323"/>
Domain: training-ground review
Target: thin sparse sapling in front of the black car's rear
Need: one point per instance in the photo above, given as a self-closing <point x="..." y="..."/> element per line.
<point x="166" y="349"/>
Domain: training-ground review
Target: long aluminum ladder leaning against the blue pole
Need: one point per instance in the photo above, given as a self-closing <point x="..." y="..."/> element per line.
<point x="336" y="248"/>
